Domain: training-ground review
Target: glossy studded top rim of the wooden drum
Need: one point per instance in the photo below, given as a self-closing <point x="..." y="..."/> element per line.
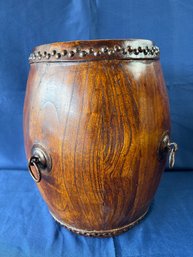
<point x="101" y="49"/>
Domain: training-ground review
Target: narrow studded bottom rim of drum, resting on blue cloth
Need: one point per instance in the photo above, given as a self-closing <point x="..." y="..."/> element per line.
<point x="101" y="233"/>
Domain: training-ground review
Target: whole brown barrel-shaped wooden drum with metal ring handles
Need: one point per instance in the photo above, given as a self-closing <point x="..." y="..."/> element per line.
<point x="97" y="128"/>
